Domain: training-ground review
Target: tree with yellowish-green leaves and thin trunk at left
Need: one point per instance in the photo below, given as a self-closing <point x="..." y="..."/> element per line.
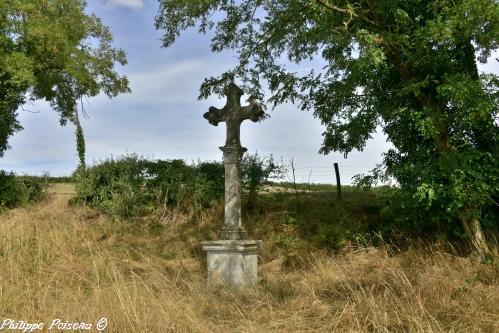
<point x="53" y="50"/>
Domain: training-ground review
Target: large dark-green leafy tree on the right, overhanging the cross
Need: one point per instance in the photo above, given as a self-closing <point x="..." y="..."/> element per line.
<point x="407" y="66"/>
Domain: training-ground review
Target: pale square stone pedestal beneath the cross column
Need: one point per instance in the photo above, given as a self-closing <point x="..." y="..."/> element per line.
<point x="232" y="262"/>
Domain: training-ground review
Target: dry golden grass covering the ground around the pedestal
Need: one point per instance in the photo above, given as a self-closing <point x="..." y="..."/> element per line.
<point x="71" y="263"/>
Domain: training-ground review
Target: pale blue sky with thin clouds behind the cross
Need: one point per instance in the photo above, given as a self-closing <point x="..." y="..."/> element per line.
<point x="162" y="117"/>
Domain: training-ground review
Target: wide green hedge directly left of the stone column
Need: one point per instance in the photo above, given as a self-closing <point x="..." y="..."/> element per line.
<point x="130" y="187"/>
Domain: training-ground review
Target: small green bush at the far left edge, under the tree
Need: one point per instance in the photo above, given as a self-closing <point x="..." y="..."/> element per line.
<point x="20" y="190"/>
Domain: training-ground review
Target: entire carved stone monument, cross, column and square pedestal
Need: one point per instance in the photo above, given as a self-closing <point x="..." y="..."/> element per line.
<point x="232" y="260"/>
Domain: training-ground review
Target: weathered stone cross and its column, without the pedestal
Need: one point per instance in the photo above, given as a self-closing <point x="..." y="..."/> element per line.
<point x="233" y="114"/>
